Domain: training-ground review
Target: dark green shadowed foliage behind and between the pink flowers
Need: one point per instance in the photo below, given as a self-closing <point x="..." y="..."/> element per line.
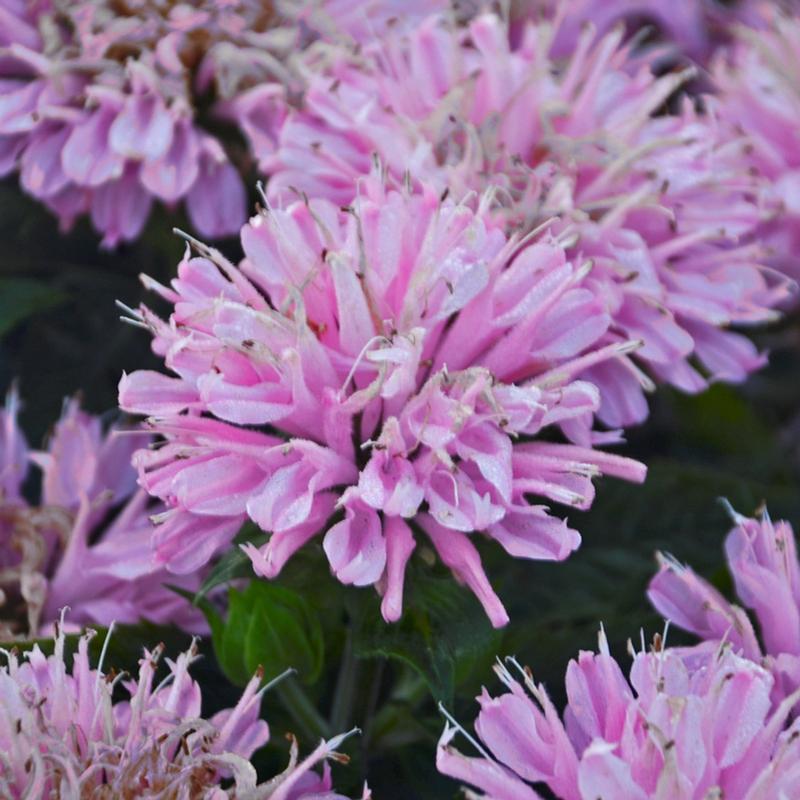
<point x="60" y="335"/>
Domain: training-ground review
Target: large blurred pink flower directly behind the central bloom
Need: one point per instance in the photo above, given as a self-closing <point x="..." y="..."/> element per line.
<point x="660" y="203"/>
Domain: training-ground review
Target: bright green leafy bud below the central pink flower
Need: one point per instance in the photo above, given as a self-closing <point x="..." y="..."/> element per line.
<point x="271" y="627"/>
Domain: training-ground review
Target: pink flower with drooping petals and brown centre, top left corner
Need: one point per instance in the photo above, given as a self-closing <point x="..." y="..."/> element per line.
<point x="102" y="106"/>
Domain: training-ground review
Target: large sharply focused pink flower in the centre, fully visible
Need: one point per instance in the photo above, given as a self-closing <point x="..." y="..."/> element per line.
<point x="372" y="374"/>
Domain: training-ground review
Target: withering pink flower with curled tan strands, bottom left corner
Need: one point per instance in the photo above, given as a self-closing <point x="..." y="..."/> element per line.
<point x="62" y="733"/>
